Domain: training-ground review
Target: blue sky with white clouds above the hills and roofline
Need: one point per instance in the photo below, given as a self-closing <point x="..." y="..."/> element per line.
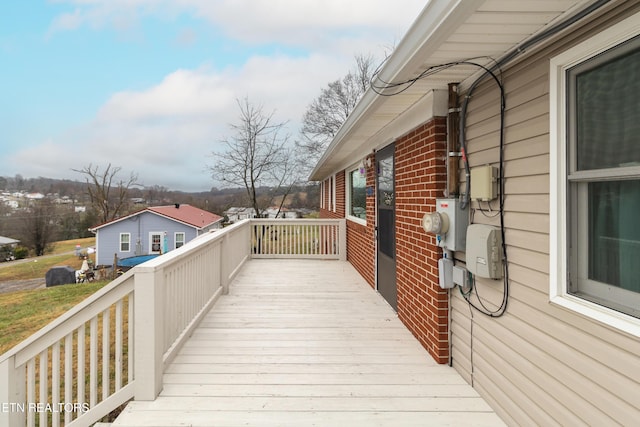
<point x="151" y="86"/>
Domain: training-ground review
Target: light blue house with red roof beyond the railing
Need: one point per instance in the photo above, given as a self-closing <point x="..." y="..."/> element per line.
<point x="153" y="230"/>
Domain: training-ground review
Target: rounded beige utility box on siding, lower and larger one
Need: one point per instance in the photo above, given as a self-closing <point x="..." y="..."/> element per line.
<point x="484" y="251"/>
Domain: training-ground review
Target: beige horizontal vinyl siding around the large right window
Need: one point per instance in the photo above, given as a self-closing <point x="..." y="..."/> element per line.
<point x="538" y="364"/>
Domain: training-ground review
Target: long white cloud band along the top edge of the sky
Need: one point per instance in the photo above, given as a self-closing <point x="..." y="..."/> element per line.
<point x="292" y="22"/>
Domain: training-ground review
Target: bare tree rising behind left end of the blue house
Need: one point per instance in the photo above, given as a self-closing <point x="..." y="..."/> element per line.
<point x="108" y="195"/>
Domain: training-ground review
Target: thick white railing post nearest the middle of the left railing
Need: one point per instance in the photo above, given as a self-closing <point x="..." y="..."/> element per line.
<point x="148" y="332"/>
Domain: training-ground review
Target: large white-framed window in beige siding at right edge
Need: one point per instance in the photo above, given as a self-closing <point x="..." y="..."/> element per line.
<point x="595" y="177"/>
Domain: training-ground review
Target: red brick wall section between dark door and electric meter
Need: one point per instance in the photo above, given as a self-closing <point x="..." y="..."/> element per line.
<point x="420" y="178"/>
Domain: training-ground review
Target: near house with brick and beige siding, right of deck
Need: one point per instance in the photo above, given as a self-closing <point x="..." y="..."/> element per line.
<point x="558" y="341"/>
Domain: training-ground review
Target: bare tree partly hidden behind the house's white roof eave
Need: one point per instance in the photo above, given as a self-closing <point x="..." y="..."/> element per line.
<point x="327" y="112"/>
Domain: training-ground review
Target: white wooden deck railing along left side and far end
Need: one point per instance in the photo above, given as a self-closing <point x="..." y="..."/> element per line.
<point x="114" y="346"/>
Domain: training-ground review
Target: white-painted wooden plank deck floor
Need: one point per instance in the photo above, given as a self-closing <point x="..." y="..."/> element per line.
<point x="299" y="343"/>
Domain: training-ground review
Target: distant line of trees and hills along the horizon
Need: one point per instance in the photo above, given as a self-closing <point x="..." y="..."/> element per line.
<point x="39" y="222"/>
